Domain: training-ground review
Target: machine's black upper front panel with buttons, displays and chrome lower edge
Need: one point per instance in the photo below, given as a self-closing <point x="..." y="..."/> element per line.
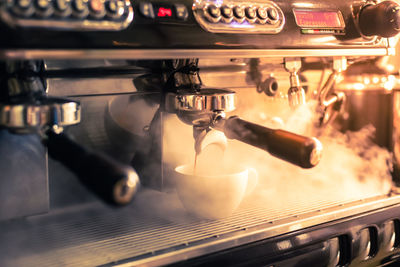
<point x="185" y="28"/>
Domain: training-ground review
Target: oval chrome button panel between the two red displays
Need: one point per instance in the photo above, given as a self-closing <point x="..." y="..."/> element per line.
<point x="239" y="16"/>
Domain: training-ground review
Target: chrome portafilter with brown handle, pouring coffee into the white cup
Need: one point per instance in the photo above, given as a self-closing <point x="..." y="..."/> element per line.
<point x="205" y="109"/>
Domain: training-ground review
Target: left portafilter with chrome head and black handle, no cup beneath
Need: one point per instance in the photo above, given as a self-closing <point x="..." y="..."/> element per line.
<point x="113" y="182"/>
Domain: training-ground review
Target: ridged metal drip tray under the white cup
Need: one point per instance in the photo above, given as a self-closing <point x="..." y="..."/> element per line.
<point x="156" y="230"/>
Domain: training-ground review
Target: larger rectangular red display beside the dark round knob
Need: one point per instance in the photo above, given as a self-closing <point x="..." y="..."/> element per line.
<point x="318" y="19"/>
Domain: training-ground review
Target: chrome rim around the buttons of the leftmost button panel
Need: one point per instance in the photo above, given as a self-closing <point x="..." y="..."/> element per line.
<point x="82" y="25"/>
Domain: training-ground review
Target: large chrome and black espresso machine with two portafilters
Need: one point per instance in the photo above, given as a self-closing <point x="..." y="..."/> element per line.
<point x="101" y="100"/>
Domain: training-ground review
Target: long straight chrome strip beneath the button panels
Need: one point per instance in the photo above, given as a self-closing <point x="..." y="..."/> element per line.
<point x="67" y="54"/>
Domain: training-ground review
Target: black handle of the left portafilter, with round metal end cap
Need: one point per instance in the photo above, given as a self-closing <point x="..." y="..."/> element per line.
<point x="113" y="182"/>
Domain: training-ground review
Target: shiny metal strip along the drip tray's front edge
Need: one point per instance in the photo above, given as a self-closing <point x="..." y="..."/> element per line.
<point x="275" y="228"/>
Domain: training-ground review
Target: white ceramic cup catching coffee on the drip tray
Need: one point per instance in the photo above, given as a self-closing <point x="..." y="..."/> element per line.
<point x="214" y="196"/>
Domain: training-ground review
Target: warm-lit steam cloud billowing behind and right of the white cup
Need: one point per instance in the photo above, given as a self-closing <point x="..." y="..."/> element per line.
<point x="352" y="167"/>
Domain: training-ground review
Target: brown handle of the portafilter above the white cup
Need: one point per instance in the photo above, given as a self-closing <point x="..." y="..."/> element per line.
<point x="299" y="150"/>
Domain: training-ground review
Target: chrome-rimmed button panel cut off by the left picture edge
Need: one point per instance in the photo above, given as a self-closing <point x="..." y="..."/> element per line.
<point x="68" y="14"/>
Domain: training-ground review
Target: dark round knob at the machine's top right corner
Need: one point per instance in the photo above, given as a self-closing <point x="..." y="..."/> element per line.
<point x="382" y="19"/>
